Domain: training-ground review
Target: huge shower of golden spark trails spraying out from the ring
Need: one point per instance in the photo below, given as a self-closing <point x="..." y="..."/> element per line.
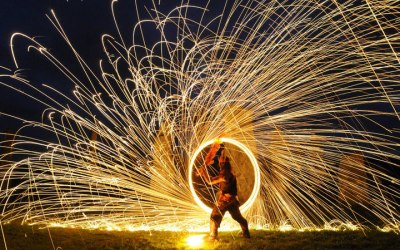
<point x="300" y="83"/>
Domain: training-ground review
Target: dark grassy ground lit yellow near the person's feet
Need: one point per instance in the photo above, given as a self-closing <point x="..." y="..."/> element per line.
<point x="27" y="237"/>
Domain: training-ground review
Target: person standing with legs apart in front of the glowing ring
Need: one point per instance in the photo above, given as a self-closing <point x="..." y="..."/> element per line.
<point x="228" y="199"/>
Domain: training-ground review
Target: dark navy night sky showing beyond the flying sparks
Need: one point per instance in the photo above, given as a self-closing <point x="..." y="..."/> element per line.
<point x="84" y="21"/>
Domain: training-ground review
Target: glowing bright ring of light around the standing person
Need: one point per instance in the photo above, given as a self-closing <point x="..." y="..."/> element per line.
<point x="256" y="169"/>
